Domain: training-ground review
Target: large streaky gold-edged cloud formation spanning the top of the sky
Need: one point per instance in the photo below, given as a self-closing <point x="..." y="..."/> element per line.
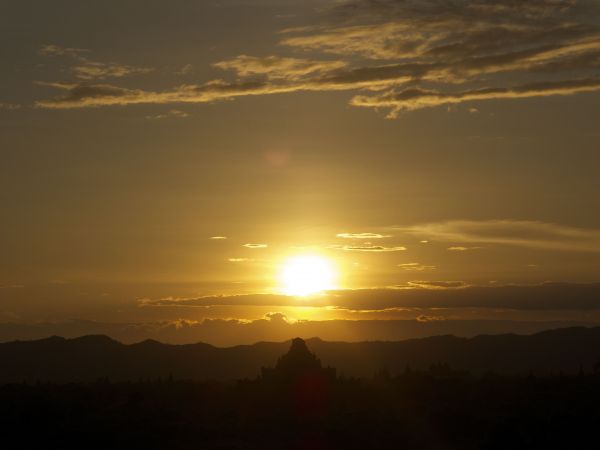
<point x="414" y="55"/>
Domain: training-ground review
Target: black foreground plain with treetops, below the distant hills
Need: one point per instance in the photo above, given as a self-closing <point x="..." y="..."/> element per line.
<point x="435" y="409"/>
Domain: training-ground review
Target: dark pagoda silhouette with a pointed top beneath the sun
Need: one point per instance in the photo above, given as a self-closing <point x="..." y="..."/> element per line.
<point x="297" y="364"/>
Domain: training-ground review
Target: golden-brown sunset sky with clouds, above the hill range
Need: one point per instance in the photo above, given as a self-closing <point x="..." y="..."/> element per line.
<point x="163" y="162"/>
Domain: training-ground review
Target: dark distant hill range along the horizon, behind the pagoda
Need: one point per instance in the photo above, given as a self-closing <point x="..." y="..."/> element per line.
<point x="89" y="358"/>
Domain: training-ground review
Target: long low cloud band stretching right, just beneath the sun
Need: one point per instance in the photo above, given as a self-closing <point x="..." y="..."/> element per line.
<point x="420" y="294"/>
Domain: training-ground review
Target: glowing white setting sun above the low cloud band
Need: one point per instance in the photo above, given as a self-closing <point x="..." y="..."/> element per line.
<point x="306" y="274"/>
